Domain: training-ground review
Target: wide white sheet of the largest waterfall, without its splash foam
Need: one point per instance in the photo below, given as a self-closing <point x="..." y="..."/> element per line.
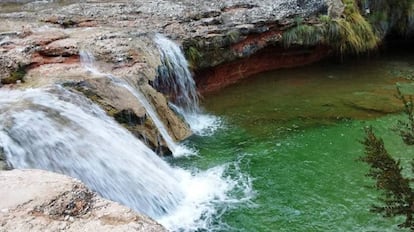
<point x="66" y="133"/>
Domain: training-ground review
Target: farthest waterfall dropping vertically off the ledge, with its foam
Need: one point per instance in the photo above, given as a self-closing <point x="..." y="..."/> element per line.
<point x="175" y="80"/>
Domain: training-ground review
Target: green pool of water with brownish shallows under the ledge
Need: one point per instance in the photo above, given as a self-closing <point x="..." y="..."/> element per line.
<point x="296" y="134"/>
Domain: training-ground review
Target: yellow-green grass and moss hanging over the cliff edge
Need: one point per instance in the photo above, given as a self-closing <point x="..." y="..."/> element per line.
<point x="360" y="28"/>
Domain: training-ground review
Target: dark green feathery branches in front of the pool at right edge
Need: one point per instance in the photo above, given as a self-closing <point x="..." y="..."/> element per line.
<point x="397" y="195"/>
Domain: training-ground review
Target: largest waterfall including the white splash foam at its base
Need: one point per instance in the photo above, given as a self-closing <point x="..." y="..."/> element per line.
<point x="60" y="131"/>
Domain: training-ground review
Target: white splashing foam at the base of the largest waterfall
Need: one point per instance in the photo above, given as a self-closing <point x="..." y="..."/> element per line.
<point x="208" y="195"/>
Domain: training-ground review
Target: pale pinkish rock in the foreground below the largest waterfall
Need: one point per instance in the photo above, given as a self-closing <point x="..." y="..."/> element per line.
<point x="35" y="200"/>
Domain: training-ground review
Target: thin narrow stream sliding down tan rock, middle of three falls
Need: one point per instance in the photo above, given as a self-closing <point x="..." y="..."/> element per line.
<point x="88" y="60"/>
